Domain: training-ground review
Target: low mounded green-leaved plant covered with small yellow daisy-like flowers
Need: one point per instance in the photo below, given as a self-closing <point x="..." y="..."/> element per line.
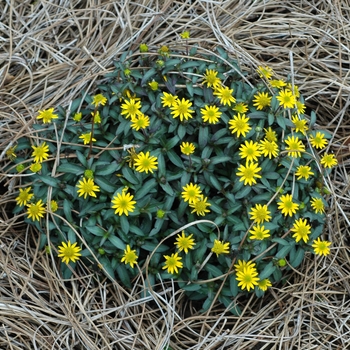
<point x="184" y="164"/>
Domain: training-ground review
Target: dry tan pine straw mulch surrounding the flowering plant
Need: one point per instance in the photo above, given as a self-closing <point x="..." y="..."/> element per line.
<point x="50" y="51"/>
